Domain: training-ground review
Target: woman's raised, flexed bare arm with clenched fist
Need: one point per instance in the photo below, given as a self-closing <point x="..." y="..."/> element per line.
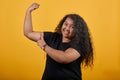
<point x="28" y="29"/>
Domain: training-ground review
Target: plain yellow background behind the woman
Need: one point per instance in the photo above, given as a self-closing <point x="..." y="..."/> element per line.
<point x="22" y="59"/>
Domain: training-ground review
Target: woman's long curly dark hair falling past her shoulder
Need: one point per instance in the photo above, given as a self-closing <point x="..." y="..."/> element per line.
<point x="81" y="37"/>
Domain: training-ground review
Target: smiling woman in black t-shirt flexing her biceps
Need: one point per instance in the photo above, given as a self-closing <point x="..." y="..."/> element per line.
<point x="66" y="48"/>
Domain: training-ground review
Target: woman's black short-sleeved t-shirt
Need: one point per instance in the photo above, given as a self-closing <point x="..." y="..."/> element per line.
<point x="58" y="71"/>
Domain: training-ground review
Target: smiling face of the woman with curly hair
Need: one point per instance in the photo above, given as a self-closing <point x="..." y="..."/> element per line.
<point x="68" y="30"/>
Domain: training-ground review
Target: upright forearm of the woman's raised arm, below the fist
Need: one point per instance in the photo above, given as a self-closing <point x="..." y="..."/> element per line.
<point x="28" y="23"/>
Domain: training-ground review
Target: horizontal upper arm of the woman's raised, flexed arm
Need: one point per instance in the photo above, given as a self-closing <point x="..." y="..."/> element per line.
<point x="35" y="36"/>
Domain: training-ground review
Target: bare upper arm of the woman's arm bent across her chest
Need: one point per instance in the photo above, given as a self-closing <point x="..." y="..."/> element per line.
<point x="70" y="55"/>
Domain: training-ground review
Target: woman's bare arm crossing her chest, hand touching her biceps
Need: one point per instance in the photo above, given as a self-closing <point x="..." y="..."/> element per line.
<point x="63" y="57"/>
